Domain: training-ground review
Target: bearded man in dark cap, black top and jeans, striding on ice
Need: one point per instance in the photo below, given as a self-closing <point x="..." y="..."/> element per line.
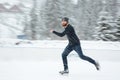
<point x="74" y="44"/>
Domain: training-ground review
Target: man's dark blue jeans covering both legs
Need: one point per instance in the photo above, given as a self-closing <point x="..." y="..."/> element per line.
<point x="78" y="49"/>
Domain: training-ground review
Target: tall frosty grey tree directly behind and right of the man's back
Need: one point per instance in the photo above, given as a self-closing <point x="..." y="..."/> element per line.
<point x="86" y="13"/>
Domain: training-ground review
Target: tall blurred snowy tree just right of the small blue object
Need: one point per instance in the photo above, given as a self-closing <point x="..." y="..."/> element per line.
<point x="34" y="26"/>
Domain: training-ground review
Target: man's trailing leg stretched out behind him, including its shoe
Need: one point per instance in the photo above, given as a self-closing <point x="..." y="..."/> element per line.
<point x="80" y="53"/>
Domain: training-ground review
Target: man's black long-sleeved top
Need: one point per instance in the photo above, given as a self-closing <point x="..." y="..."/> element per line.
<point x="71" y="35"/>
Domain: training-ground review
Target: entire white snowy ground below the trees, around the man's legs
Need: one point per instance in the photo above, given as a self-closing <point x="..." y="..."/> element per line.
<point x="41" y="60"/>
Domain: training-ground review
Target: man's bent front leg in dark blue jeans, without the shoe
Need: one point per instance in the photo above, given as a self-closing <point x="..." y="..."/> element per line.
<point x="64" y="57"/>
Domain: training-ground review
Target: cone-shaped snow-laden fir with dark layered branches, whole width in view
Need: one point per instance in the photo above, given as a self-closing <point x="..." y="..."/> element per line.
<point x="107" y="28"/>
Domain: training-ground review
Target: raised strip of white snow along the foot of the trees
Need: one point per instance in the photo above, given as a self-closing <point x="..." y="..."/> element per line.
<point x="7" y="42"/>
